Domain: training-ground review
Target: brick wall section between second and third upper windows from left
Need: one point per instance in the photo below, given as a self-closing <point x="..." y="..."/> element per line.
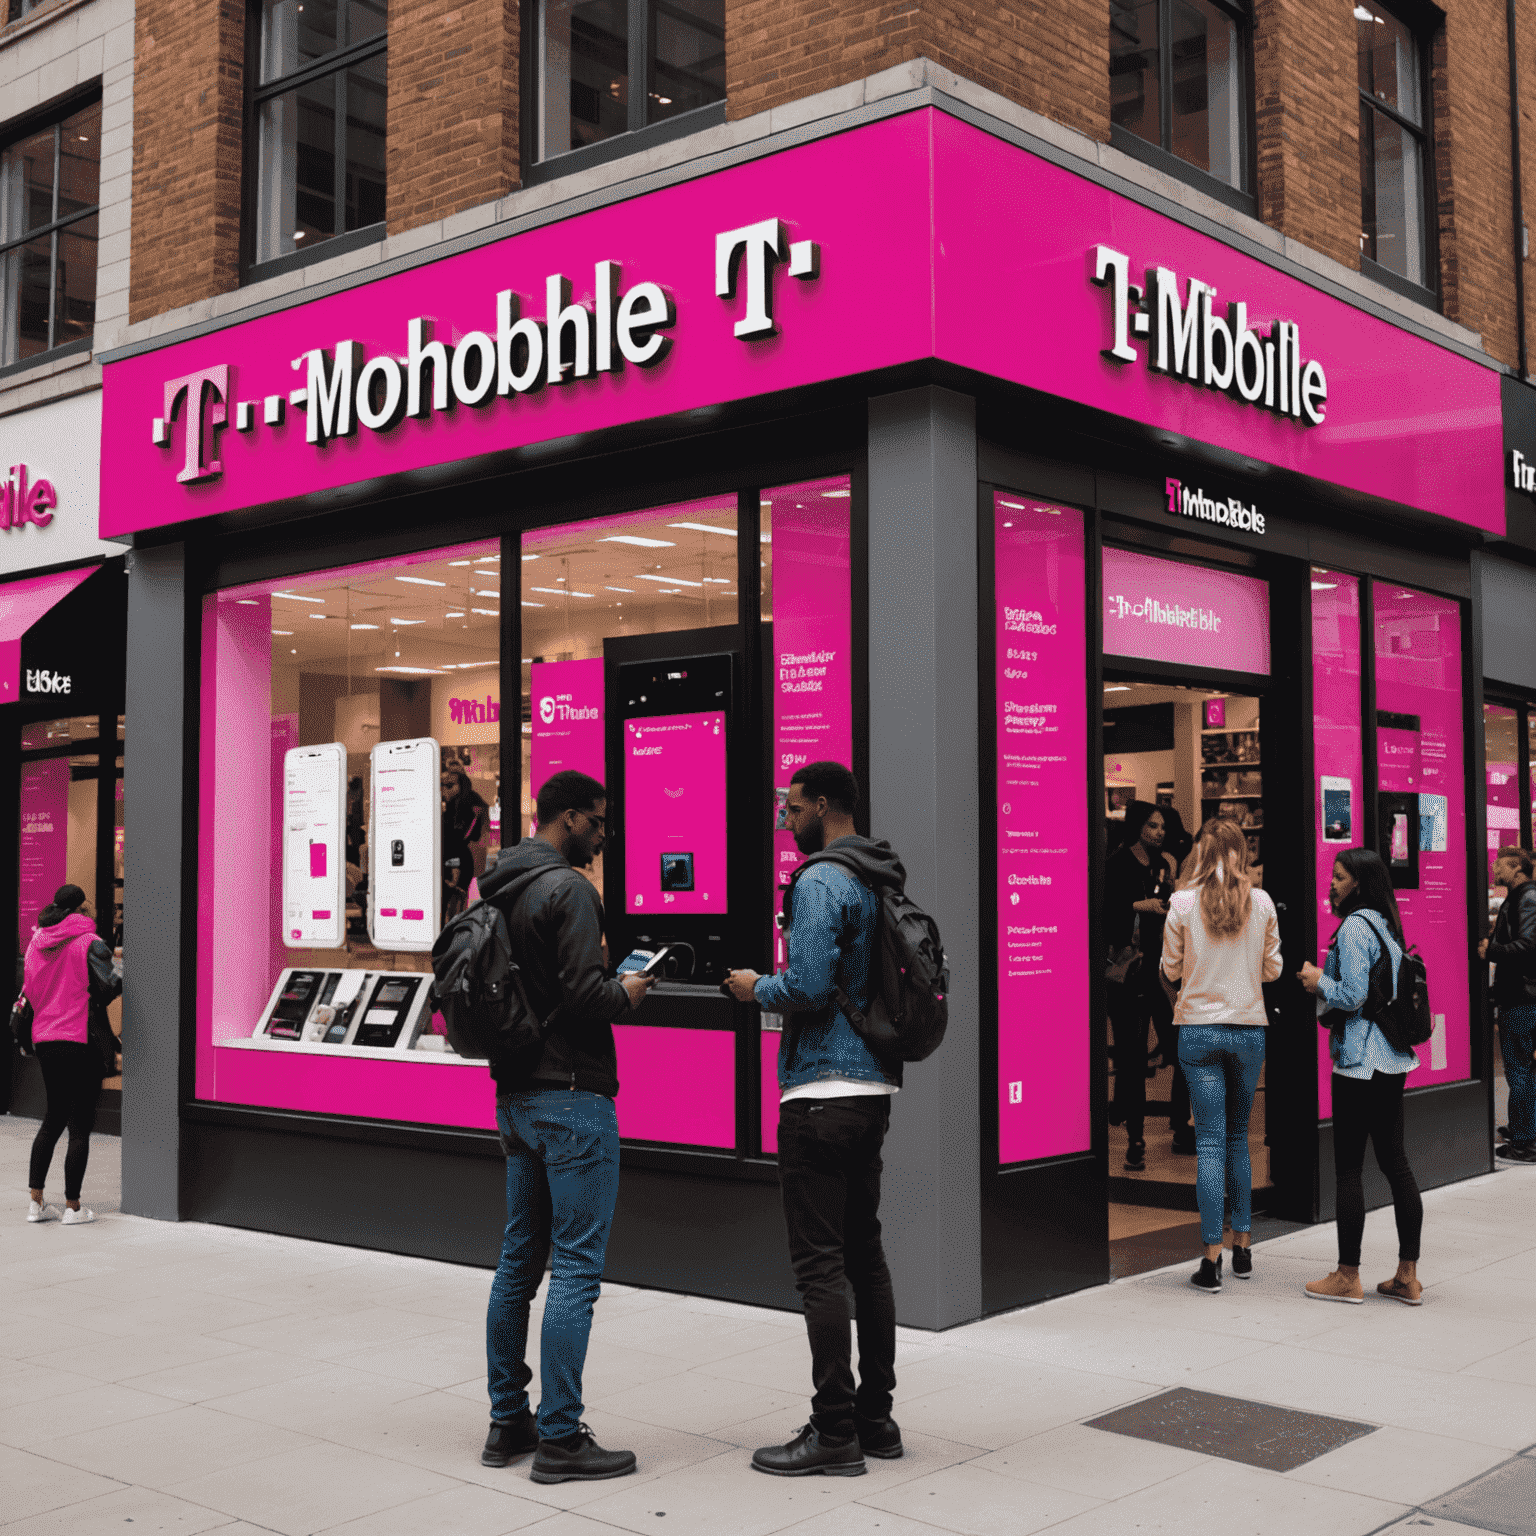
<point x="454" y="107"/>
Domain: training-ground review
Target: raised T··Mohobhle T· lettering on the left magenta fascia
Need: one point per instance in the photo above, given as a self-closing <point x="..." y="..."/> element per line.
<point x="345" y="389"/>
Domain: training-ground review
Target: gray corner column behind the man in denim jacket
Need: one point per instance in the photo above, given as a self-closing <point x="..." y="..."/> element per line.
<point x="924" y="778"/>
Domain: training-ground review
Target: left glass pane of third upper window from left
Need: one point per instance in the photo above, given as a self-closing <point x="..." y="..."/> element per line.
<point x="584" y="79"/>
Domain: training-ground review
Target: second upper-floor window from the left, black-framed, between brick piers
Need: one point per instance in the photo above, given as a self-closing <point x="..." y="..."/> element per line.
<point x="319" y="122"/>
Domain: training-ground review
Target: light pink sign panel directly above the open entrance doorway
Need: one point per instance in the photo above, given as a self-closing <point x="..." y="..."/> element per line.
<point x="1174" y="612"/>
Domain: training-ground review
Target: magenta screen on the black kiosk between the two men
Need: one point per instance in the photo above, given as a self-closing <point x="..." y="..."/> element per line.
<point x="675" y="815"/>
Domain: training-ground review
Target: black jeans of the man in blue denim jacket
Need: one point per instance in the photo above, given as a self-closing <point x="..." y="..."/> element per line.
<point x="830" y="1174"/>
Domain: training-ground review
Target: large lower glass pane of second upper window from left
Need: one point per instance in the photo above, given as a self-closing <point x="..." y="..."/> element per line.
<point x="297" y="170"/>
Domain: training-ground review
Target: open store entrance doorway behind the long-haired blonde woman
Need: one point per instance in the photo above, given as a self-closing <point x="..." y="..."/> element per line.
<point x="1176" y="756"/>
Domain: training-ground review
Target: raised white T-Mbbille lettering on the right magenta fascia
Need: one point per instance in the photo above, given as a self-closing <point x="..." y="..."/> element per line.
<point x="1193" y="343"/>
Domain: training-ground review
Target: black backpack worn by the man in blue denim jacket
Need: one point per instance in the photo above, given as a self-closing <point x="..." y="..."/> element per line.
<point x="909" y="976"/>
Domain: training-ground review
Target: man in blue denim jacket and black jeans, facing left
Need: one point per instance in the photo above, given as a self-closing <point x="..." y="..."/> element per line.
<point x="835" y="1113"/>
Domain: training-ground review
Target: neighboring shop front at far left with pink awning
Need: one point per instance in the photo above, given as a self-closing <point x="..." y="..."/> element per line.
<point x="64" y="606"/>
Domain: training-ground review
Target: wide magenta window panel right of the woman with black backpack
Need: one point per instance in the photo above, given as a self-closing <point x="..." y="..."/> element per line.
<point x="1420" y="753"/>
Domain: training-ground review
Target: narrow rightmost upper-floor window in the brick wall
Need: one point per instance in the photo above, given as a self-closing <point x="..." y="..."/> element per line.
<point x="1394" y="147"/>
